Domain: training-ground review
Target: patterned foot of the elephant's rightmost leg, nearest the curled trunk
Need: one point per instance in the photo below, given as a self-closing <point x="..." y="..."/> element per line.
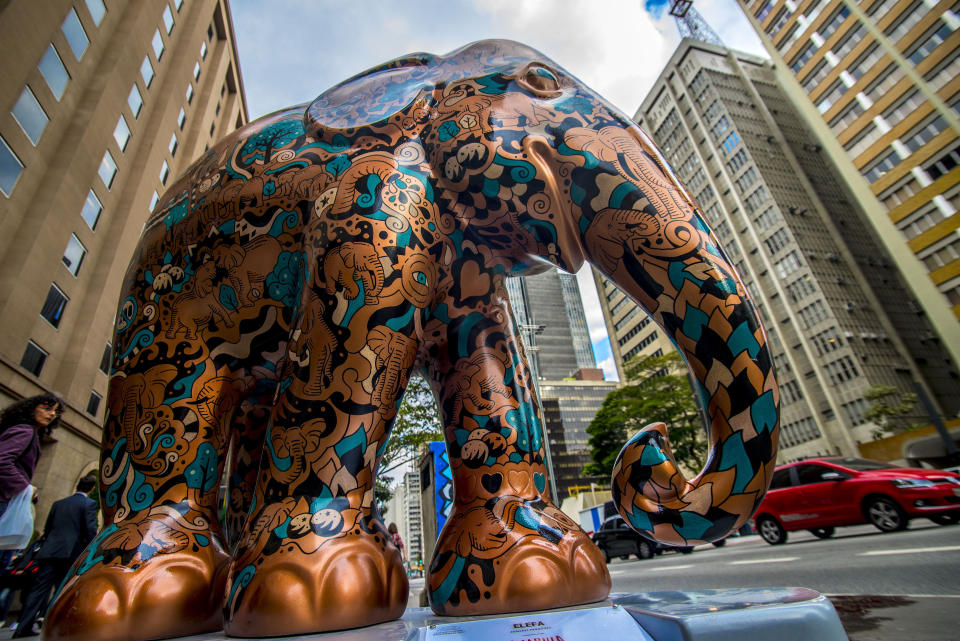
<point x="510" y="555"/>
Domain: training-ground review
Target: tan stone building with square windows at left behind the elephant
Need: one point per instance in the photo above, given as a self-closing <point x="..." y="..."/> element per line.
<point x="104" y="104"/>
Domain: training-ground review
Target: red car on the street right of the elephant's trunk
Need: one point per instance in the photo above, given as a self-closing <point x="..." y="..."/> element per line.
<point x="823" y="493"/>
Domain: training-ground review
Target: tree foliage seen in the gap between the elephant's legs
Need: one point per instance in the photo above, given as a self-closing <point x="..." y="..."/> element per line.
<point x="417" y="422"/>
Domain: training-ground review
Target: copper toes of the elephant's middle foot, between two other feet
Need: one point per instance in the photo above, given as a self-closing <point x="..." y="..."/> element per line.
<point x="348" y="582"/>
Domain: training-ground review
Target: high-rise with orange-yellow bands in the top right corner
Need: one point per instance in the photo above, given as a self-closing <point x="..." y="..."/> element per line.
<point x="878" y="83"/>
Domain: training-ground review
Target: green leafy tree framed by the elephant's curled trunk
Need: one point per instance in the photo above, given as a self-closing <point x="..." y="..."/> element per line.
<point x="657" y="390"/>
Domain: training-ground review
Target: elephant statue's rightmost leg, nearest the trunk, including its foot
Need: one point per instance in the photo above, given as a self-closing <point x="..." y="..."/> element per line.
<point x="507" y="548"/>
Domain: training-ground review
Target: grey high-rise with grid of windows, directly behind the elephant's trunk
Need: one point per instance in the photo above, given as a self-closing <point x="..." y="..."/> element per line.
<point x="838" y="314"/>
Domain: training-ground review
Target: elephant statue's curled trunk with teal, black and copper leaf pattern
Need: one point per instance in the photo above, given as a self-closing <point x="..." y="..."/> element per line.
<point x="665" y="257"/>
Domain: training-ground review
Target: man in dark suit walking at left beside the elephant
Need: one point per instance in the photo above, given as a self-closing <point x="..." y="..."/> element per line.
<point x="71" y="525"/>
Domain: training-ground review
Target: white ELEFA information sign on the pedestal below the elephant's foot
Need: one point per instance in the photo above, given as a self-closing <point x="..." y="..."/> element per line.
<point x="573" y="625"/>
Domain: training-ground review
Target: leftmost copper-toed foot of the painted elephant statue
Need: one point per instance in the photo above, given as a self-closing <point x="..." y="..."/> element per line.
<point x="168" y="595"/>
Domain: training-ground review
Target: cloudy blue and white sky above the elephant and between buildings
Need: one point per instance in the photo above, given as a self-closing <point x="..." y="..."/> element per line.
<point x="292" y="50"/>
